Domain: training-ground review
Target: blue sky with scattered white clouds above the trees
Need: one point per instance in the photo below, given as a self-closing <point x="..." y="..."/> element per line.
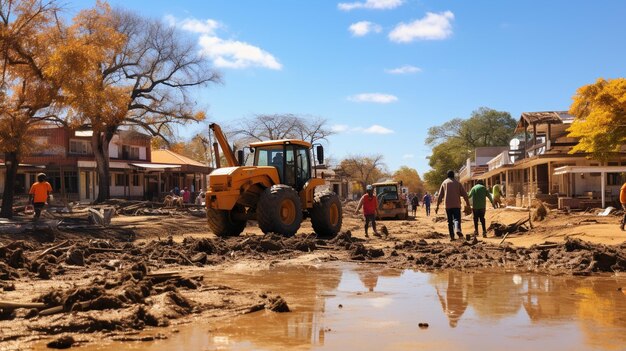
<point x="383" y="71"/>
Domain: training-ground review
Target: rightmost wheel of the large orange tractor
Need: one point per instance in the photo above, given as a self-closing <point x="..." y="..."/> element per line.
<point x="326" y="214"/>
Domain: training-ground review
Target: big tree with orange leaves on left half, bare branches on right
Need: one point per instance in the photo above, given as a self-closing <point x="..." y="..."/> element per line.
<point x="127" y="71"/>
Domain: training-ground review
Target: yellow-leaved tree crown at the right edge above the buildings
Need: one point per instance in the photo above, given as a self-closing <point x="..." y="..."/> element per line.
<point x="600" y="118"/>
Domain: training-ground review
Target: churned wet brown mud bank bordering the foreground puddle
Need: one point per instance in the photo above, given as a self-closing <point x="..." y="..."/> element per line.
<point x="111" y="288"/>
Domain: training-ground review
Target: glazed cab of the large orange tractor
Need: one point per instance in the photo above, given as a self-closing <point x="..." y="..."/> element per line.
<point x="291" y="158"/>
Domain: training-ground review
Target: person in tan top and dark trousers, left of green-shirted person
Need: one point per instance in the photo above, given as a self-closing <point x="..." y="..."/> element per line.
<point x="451" y="192"/>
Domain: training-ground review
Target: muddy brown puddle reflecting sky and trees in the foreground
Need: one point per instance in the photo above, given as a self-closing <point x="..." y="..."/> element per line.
<point x="369" y="307"/>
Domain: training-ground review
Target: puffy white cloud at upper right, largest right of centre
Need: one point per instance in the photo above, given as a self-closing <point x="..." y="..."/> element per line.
<point x="435" y="26"/>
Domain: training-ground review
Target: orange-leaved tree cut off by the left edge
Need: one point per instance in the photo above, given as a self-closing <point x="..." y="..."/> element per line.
<point x="29" y="31"/>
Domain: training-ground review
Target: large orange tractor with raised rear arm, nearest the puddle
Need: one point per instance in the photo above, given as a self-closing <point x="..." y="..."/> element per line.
<point x="278" y="189"/>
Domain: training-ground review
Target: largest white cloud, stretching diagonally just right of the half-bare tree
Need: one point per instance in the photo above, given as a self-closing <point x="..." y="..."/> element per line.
<point x="225" y="53"/>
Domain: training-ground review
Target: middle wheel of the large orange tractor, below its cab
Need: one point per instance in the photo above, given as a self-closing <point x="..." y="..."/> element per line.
<point x="279" y="210"/>
